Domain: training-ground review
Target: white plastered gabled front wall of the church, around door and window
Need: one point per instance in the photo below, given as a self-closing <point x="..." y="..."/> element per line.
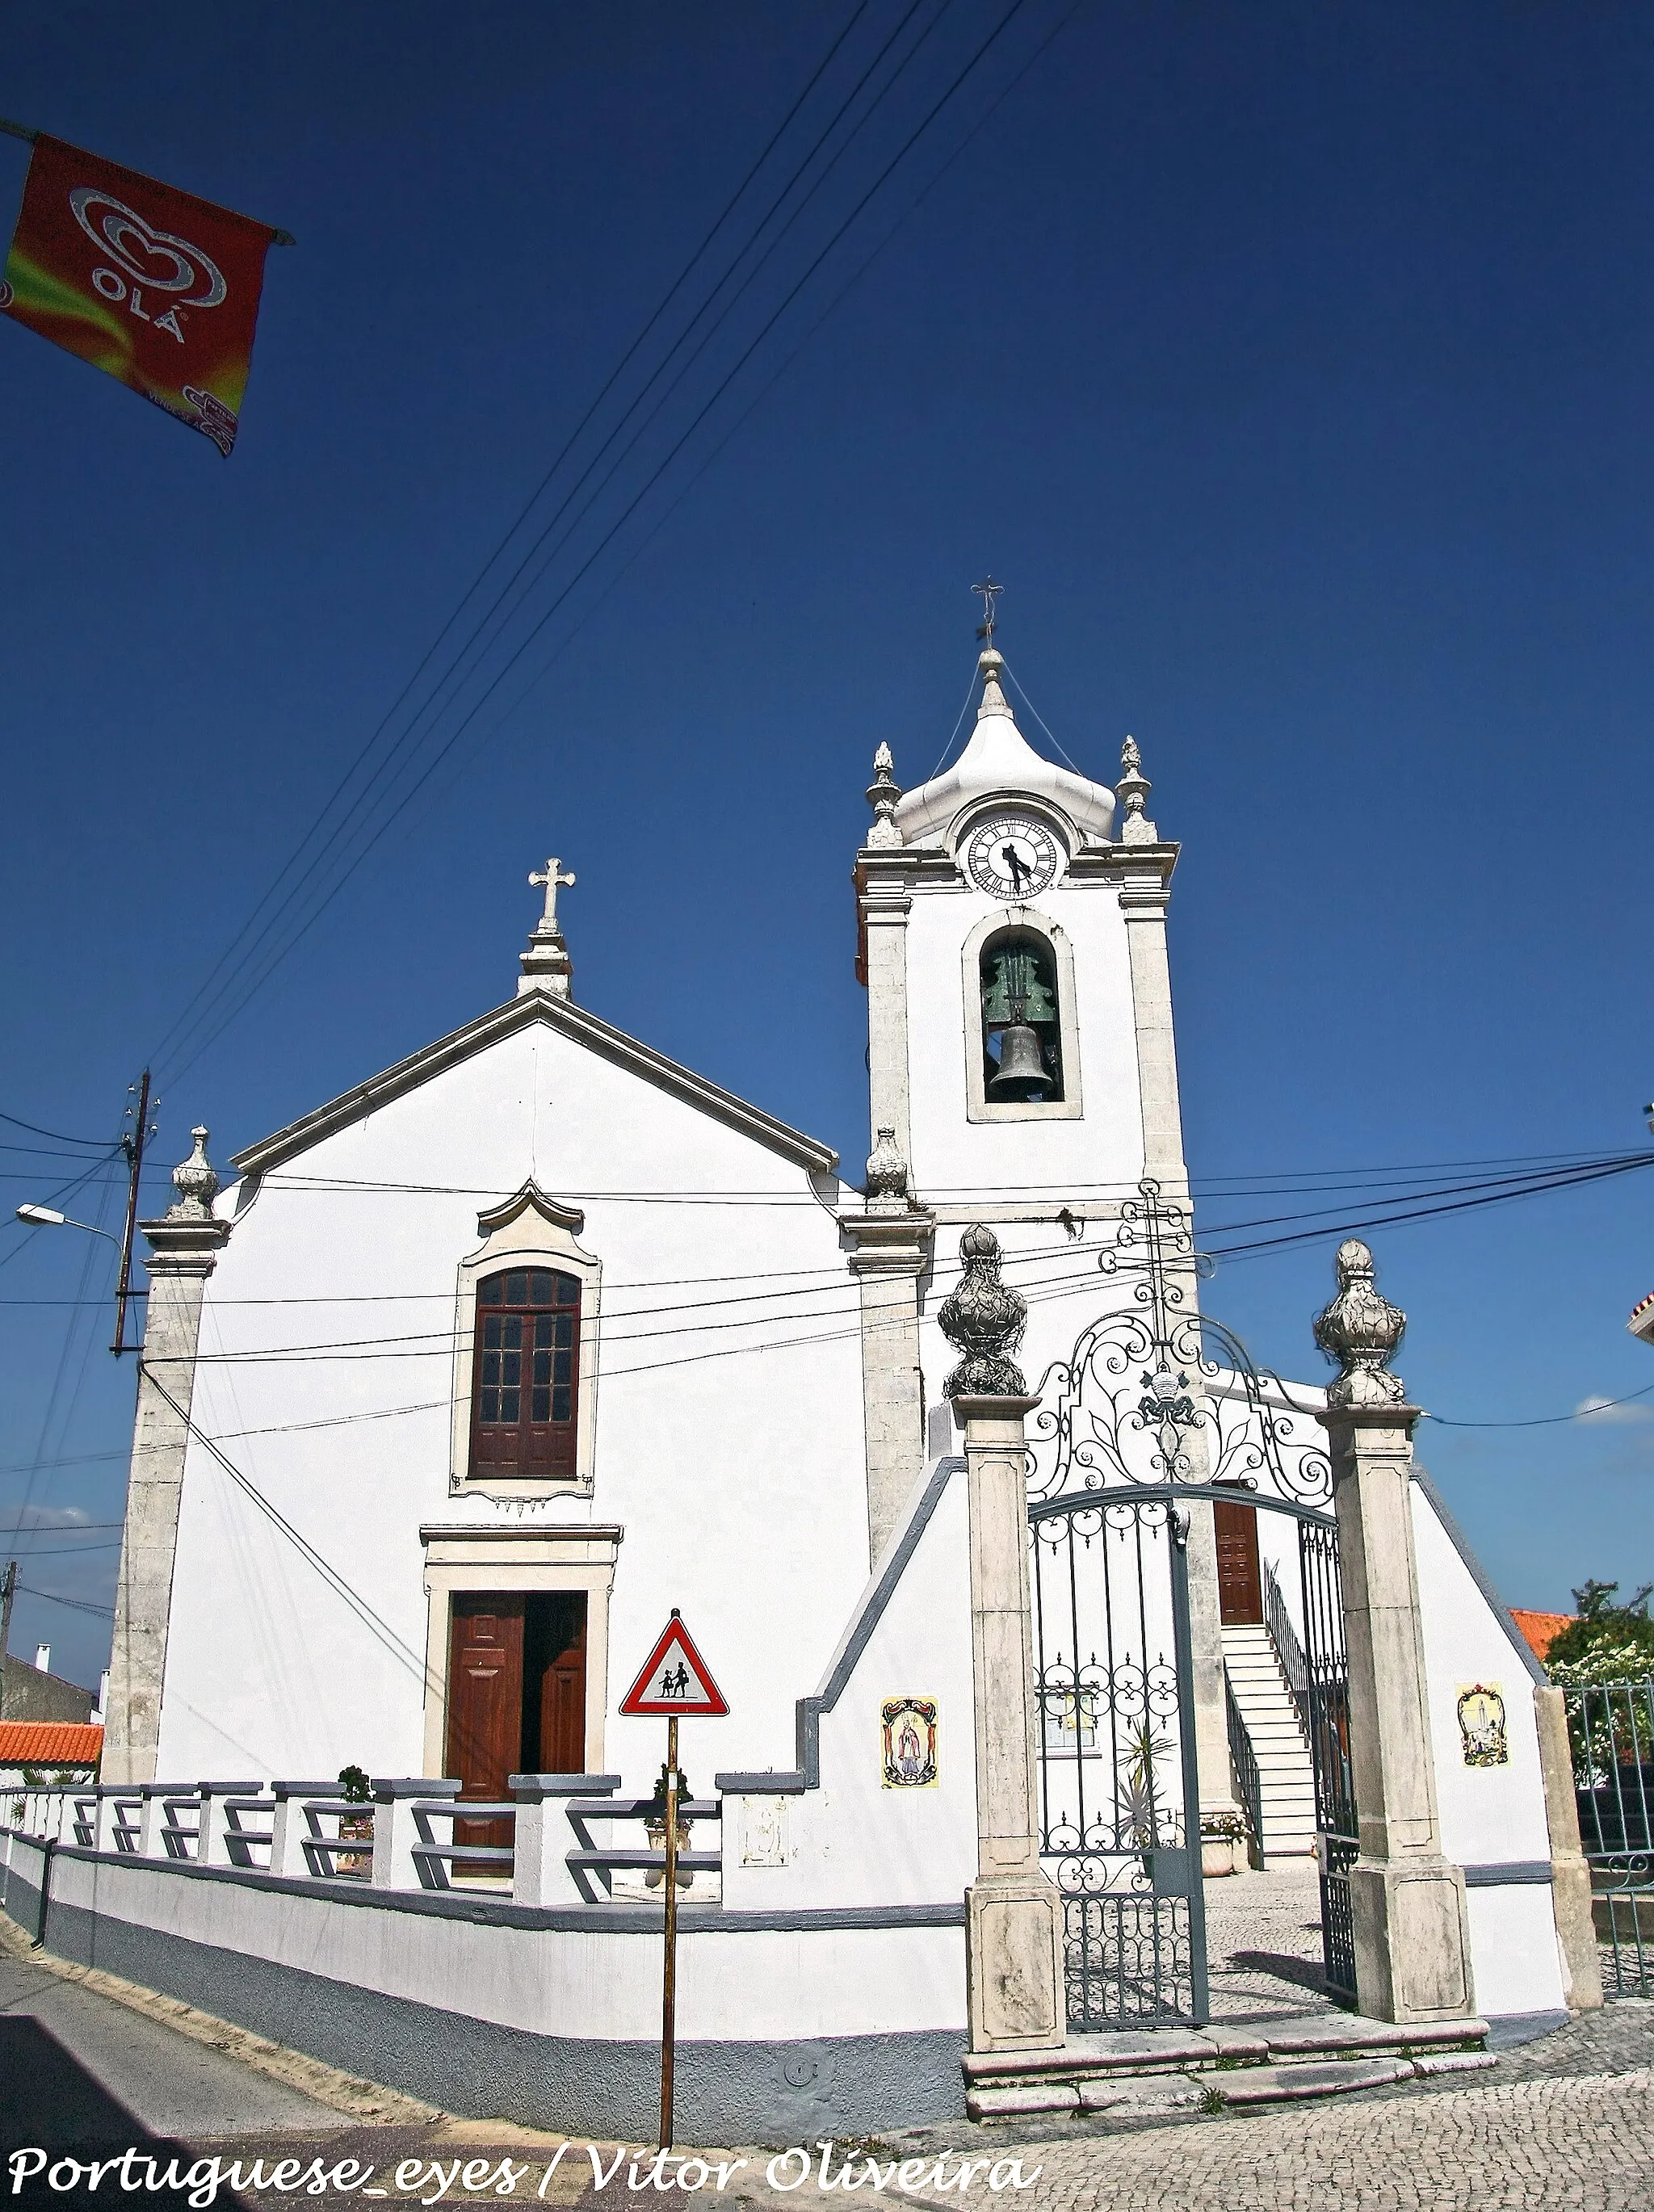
<point x="737" y="1479"/>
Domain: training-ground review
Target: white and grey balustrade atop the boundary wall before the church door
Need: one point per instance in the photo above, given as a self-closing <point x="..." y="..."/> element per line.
<point x="554" y="1841"/>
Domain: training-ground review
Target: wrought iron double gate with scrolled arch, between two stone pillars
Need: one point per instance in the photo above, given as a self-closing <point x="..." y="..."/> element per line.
<point x="1158" y="1408"/>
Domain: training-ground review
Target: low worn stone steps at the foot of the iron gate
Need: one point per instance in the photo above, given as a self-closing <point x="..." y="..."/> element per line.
<point x="1208" y="2069"/>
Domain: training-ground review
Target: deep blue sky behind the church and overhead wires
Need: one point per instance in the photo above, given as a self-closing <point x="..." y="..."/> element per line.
<point x="1290" y="368"/>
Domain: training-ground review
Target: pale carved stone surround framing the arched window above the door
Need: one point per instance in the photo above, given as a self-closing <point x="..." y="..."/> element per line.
<point x="530" y="1231"/>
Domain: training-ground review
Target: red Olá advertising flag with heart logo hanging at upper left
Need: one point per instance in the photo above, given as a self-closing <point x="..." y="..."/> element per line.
<point x="145" y="282"/>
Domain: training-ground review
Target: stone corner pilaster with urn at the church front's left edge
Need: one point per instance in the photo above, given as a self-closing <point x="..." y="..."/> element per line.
<point x="185" y="1251"/>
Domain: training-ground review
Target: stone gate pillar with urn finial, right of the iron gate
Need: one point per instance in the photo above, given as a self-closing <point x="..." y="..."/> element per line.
<point x="1407" y="1901"/>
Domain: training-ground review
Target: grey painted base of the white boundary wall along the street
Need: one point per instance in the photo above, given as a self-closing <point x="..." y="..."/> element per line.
<point x="726" y="2094"/>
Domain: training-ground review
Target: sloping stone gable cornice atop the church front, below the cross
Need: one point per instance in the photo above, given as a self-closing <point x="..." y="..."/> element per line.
<point x="503" y="1023"/>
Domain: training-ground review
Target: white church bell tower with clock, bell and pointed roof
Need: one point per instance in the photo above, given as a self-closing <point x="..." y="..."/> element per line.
<point x="1018" y="1043"/>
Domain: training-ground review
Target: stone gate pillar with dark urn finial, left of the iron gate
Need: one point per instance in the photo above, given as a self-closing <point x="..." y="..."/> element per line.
<point x="1014" y="1914"/>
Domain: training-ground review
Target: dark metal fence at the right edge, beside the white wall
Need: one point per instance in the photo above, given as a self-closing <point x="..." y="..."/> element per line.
<point x="1611" y="1729"/>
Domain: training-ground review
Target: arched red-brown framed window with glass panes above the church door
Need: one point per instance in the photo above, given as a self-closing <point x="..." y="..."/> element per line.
<point x="525" y="1390"/>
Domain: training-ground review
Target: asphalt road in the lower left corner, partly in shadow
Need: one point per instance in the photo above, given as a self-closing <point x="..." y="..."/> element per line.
<point x="81" y="2072"/>
